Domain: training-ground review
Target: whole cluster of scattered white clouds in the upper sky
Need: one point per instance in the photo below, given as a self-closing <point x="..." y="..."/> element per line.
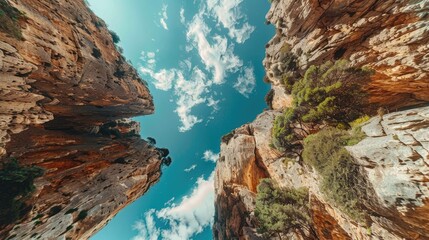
<point x="193" y="86"/>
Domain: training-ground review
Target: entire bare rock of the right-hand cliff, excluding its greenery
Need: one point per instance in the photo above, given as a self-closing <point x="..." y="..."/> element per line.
<point x="389" y="37"/>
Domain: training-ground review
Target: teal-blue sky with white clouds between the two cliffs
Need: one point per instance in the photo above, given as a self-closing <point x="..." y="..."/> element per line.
<point x="203" y="63"/>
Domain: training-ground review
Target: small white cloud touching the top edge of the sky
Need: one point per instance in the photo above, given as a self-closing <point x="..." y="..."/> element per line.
<point x="228" y="13"/>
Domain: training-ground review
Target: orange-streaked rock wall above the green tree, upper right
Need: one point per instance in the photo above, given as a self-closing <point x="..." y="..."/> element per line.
<point x="390" y="37"/>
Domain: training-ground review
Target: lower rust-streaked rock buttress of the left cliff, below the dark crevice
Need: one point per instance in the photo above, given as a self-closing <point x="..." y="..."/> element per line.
<point x="97" y="172"/>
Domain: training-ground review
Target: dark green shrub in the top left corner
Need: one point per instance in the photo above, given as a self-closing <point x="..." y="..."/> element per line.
<point x="9" y="20"/>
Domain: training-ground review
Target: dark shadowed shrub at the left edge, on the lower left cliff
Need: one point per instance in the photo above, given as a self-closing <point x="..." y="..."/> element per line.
<point x="16" y="185"/>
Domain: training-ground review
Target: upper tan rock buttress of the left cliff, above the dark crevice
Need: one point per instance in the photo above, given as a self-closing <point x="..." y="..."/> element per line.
<point x="67" y="63"/>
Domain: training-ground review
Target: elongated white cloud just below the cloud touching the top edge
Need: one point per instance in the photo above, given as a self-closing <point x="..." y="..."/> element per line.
<point x="218" y="57"/>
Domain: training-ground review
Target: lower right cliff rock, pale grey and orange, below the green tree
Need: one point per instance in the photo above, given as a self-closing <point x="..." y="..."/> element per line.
<point x="393" y="159"/>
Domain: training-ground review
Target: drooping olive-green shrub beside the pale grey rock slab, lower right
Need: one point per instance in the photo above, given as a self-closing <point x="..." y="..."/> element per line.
<point x="342" y="182"/>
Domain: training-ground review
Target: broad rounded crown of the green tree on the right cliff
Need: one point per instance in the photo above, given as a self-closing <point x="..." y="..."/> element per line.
<point x="332" y="93"/>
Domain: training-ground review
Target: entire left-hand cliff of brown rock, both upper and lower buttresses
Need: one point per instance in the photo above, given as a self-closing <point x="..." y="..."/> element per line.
<point x="64" y="89"/>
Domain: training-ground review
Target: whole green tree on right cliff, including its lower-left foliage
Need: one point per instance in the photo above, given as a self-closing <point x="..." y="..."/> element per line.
<point x="330" y="94"/>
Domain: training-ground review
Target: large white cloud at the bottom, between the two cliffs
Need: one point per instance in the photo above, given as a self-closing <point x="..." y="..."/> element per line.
<point x="194" y="213"/>
